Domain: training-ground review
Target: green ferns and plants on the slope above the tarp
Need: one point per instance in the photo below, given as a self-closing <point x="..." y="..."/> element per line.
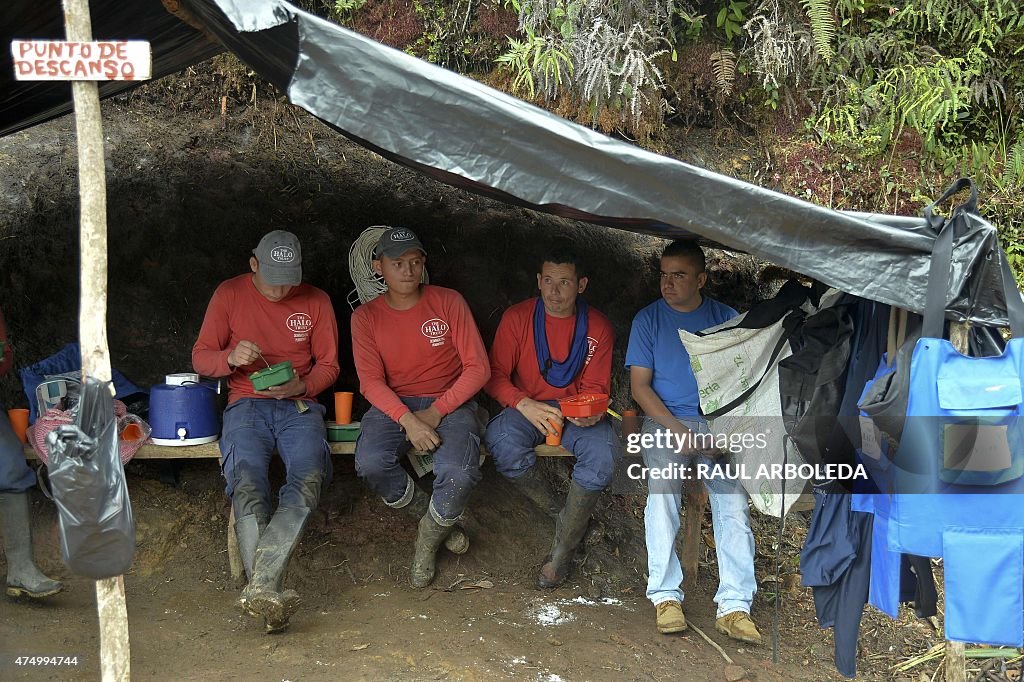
<point x="885" y="102"/>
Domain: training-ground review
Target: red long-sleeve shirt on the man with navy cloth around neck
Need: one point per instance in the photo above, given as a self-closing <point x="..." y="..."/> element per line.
<point x="515" y="372"/>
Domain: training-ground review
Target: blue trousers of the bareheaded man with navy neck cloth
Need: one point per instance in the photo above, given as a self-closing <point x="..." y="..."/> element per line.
<point x="511" y="440"/>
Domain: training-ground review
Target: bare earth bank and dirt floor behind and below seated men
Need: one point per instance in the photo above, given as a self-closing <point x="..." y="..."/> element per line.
<point x="190" y="196"/>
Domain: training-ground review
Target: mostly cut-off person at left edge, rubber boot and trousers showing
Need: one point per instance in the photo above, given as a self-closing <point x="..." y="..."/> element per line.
<point x="24" y="579"/>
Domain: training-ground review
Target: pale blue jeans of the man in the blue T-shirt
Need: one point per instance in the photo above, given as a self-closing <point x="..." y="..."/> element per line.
<point x="732" y="523"/>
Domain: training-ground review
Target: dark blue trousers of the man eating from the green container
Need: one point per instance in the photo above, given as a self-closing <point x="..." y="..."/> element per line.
<point x="253" y="430"/>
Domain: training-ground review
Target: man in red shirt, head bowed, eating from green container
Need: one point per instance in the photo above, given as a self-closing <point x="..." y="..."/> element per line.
<point x="253" y="321"/>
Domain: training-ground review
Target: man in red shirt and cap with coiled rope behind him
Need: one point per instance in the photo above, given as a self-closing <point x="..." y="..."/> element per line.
<point x="420" y="361"/>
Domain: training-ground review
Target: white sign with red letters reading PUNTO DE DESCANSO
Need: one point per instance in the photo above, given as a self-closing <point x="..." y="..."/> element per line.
<point x="67" y="61"/>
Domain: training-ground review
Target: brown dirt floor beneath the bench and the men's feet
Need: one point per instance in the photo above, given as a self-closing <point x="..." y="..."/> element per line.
<point x="361" y="620"/>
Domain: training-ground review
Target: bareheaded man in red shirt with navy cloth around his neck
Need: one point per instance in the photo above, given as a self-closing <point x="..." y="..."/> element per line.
<point x="546" y="349"/>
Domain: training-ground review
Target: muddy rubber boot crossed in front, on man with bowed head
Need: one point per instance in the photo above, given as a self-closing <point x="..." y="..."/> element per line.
<point x="264" y="596"/>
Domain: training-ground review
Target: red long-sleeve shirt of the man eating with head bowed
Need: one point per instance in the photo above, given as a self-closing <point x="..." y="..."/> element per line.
<point x="301" y="328"/>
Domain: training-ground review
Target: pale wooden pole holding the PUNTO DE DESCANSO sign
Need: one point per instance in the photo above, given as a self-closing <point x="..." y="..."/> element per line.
<point x="111" y="606"/>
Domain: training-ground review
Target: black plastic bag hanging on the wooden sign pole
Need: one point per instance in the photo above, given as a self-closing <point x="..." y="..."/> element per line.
<point x="98" y="530"/>
